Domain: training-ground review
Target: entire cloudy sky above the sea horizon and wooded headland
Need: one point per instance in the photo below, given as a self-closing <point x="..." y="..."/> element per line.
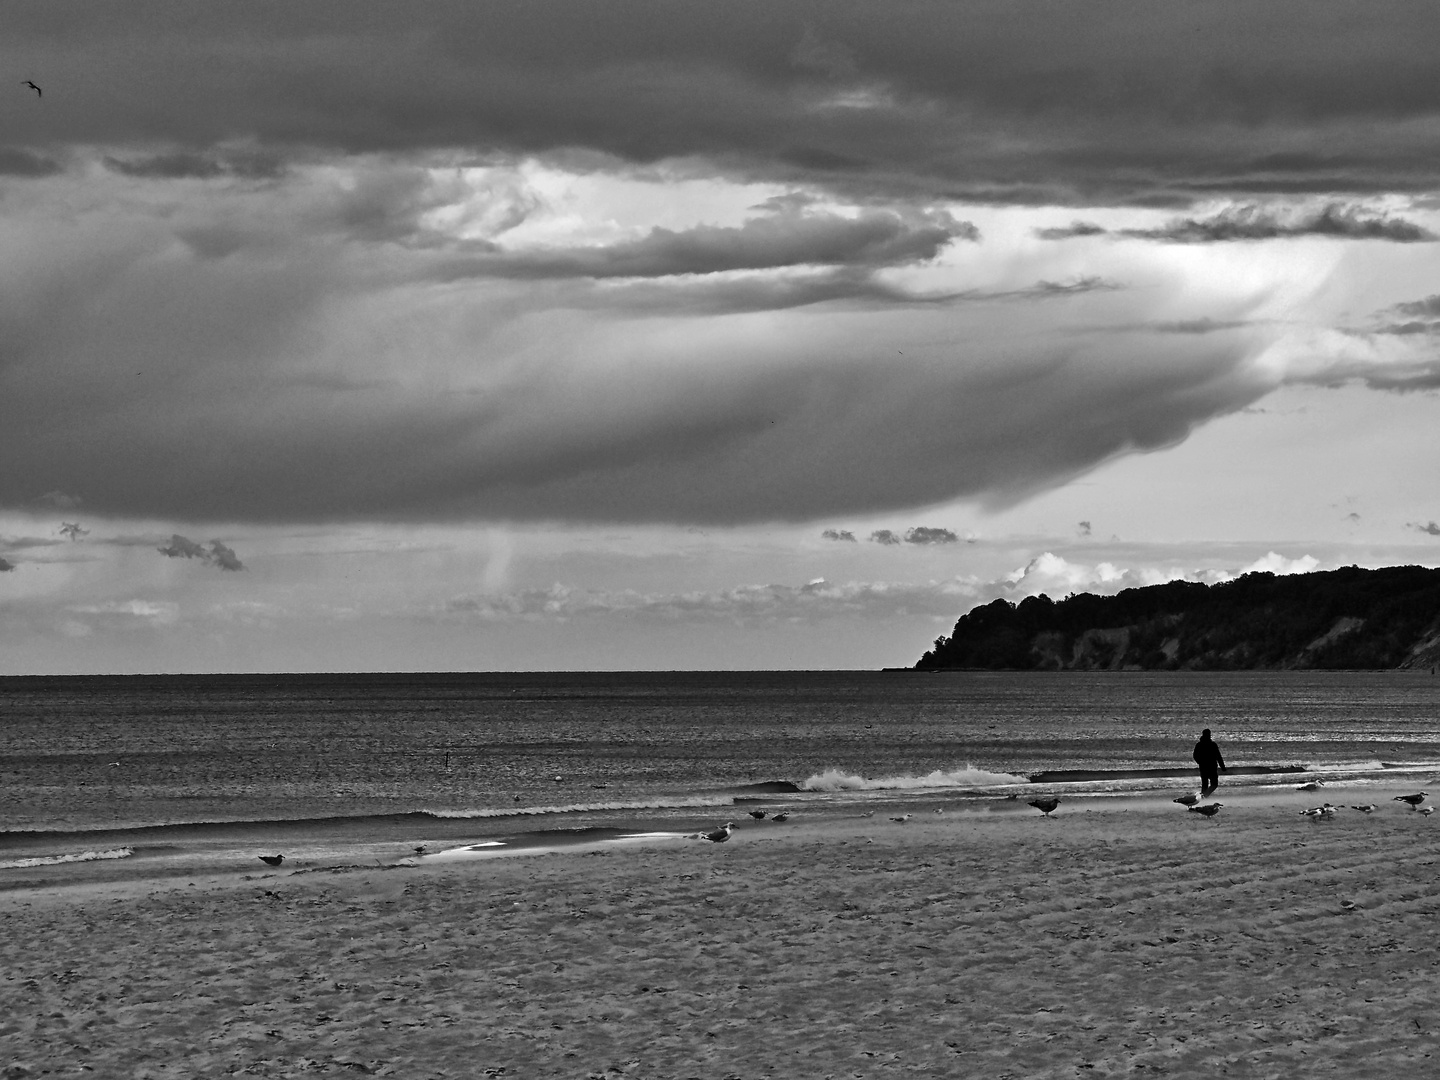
<point x="562" y="335"/>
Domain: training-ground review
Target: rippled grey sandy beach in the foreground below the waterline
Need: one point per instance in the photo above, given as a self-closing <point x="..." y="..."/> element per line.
<point x="1115" y="940"/>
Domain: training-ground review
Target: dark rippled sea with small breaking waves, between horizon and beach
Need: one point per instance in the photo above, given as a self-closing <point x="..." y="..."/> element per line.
<point x="382" y="765"/>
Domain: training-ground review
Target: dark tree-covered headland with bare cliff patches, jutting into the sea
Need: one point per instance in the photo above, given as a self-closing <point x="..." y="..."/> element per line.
<point x="1340" y="620"/>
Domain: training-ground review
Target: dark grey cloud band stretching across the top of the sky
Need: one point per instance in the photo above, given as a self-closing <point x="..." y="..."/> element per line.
<point x="989" y="100"/>
